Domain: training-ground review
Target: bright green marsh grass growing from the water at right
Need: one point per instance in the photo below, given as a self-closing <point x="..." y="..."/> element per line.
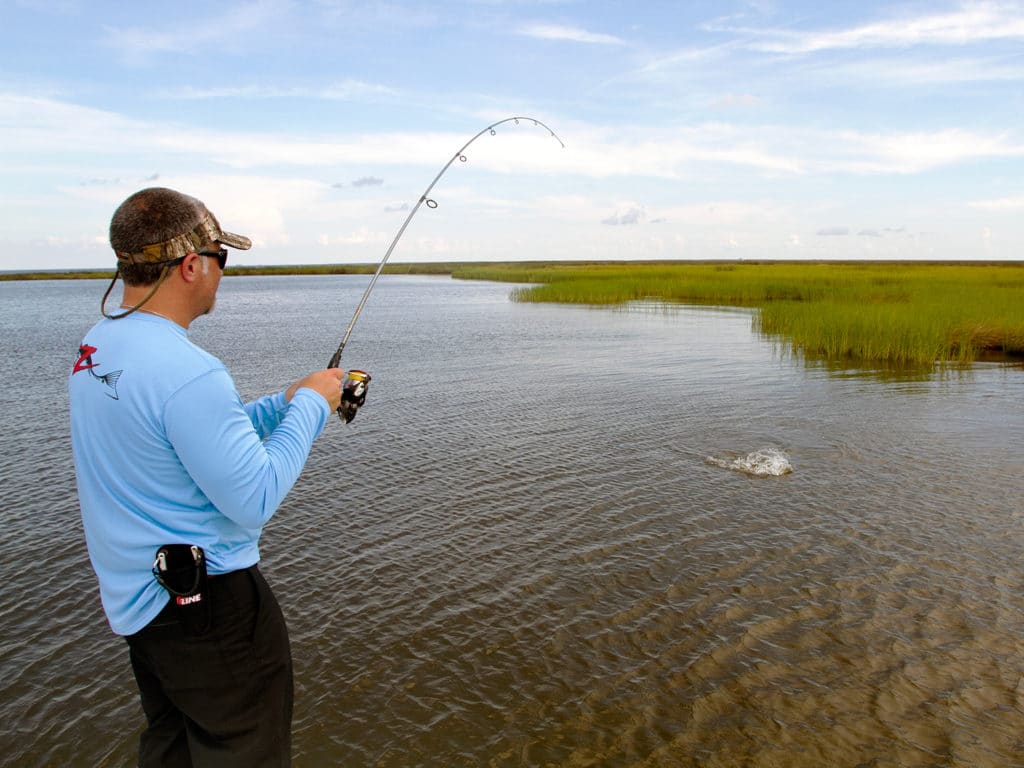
<point x="903" y="314"/>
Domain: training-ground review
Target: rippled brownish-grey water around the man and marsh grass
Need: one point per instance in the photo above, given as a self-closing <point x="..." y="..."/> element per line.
<point x="547" y="541"/>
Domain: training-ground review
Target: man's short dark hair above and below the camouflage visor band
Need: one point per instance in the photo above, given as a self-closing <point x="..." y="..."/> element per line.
<point x="148" y="218"/>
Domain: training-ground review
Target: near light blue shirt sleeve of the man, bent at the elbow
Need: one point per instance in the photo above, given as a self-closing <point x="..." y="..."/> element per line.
<point x="219" y="444"/>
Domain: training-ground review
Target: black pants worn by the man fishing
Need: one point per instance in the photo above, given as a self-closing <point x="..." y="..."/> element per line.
<point x="224" y="699"/>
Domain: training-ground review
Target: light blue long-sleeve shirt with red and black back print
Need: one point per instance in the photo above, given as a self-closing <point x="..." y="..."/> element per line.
<point x="166" y="453"/>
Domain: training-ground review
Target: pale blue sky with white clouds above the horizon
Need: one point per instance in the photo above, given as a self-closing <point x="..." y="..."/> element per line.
<point x="728" y="130"/>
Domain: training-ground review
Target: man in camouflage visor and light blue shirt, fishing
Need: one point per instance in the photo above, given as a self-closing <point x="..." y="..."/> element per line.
<point x="166" y="454"/>
